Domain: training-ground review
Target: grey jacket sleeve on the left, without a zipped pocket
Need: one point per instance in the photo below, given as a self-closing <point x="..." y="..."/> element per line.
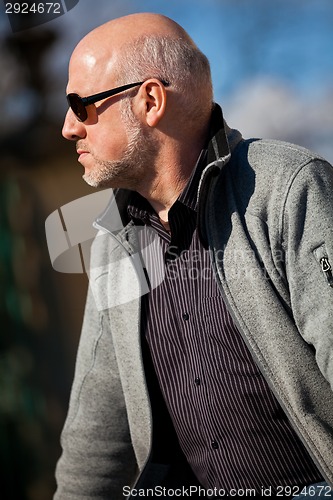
<point x="97" y="460"/>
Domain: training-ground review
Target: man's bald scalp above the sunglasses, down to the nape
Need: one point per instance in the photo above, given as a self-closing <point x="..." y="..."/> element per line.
<point x="142" y="46"/>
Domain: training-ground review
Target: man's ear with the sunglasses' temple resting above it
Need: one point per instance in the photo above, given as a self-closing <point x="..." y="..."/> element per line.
<point x="154" y="96"/>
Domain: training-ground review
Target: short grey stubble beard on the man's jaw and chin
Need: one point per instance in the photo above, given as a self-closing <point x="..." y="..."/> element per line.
<point x="128" y="171"/>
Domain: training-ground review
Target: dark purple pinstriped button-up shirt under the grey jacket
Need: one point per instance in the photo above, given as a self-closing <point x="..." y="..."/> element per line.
<point x="230" y="426"/>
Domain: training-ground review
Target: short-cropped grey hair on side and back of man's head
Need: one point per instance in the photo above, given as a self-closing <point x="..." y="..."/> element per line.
<point x="175" y="60"/>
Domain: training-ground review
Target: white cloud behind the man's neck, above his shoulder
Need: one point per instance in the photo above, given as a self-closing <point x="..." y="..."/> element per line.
<point x="268" y="108"/>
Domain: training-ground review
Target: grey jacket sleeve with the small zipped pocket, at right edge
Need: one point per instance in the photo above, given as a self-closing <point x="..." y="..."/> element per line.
<point x="307" y="228"/>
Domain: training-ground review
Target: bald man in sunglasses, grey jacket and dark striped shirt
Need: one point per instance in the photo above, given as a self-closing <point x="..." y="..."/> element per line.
<point x="205" y="362"/>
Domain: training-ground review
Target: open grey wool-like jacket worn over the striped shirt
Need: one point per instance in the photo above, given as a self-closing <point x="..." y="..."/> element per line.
<point x="266" y="214"/>
